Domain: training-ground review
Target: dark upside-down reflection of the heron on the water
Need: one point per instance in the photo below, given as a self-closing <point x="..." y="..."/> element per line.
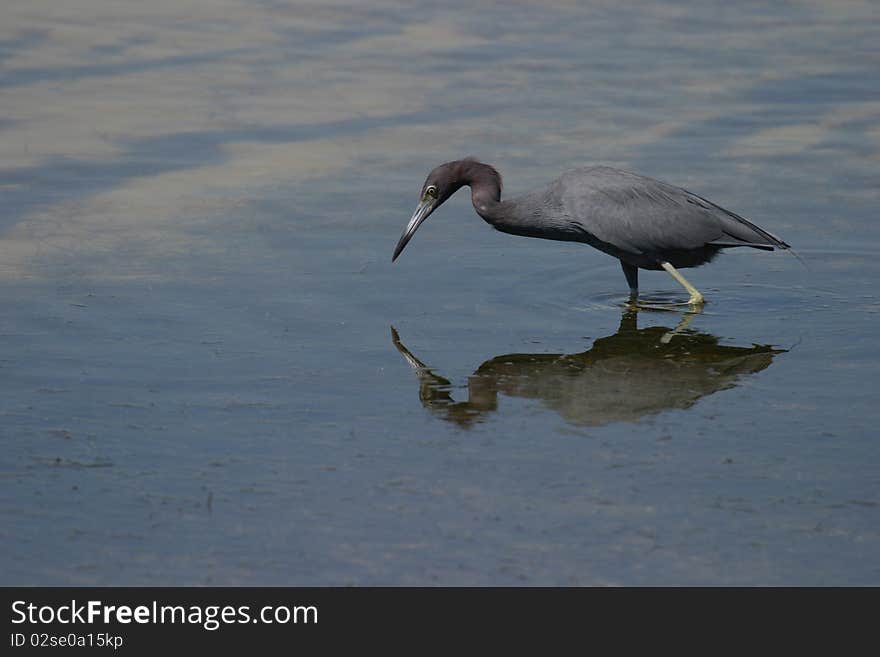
<point x="623" y="377"/>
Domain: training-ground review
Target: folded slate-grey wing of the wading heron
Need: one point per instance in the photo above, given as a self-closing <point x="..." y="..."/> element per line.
<point x="643" y="215"/>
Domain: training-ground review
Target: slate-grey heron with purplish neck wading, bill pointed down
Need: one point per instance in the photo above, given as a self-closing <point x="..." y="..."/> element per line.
<point x="643" y="222"/>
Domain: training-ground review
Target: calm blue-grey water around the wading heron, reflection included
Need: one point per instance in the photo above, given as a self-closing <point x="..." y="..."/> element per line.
<point x="212" y="373"/>
